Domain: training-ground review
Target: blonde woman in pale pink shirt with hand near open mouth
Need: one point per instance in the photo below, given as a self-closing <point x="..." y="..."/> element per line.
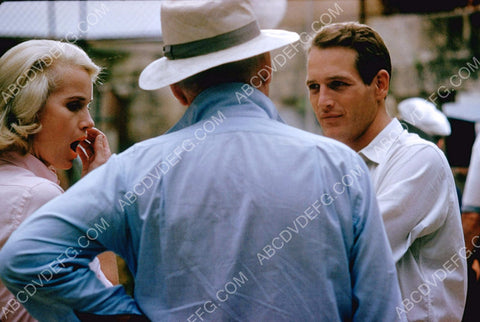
<point x="46" y="88"/>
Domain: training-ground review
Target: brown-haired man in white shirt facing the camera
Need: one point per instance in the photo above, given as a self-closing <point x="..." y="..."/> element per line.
<point x="348" y="76"/>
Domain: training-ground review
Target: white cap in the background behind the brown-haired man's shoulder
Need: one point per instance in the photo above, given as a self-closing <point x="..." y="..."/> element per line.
<point x="425" y="116"/>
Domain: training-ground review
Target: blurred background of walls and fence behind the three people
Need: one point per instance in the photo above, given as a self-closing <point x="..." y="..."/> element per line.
<point x="434" y="44"/>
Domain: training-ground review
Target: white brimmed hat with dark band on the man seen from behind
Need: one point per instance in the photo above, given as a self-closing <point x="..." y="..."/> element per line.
<point x="202" y="34"/>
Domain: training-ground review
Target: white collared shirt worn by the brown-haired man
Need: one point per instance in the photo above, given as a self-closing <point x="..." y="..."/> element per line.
<point x="419" y="205"/>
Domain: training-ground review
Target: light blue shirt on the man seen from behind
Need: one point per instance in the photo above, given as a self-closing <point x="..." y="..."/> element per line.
<point x="232" y="215"/>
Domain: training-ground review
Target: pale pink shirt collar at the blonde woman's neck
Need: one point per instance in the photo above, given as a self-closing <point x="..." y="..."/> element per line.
<point x="31" y="163"/>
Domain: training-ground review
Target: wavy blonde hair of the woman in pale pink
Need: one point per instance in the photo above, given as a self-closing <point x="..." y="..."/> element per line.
<point x="29" y="72"/>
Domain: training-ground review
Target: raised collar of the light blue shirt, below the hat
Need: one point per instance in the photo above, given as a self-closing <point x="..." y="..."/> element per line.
<point x="227" y="99"/>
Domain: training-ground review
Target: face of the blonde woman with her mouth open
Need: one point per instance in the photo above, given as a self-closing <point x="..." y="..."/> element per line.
<point x="65" y="119"/>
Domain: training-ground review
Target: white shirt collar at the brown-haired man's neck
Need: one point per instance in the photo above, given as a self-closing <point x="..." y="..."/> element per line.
<point x="376" y="151"/>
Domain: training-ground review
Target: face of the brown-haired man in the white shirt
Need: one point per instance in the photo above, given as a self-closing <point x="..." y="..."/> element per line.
<point x="345" y="107"/>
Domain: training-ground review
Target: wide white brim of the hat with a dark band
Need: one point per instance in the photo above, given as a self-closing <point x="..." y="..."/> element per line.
<point x="163" y="72"/>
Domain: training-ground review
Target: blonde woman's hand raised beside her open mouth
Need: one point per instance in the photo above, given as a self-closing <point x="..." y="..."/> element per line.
<point x="94" y="151"/>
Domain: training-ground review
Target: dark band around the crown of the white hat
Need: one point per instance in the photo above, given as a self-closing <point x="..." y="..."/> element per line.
<point x="212" y="44"/>
